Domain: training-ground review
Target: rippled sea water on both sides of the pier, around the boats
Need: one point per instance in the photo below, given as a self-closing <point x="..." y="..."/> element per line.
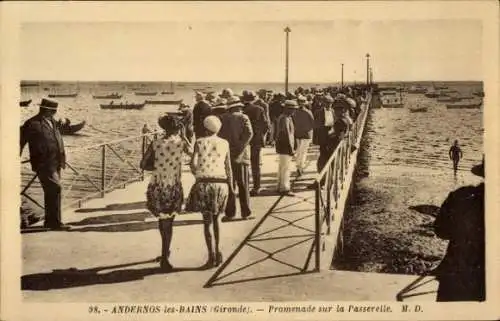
<point x="399" y="137"/>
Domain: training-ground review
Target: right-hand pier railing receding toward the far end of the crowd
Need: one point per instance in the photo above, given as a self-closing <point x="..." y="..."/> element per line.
<point x="333" y="186"/>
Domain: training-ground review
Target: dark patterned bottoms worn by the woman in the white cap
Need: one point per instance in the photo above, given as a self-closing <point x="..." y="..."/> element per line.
<point x="208" y="197"/>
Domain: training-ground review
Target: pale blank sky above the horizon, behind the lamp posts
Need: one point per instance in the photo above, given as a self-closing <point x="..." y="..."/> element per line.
<point x="251" y="51"/>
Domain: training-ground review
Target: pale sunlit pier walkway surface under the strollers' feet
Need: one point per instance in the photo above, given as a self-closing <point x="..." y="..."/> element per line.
<point x="108" y="255"/>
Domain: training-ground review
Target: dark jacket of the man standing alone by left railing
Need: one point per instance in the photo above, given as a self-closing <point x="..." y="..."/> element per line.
<point x="45" y="144"/>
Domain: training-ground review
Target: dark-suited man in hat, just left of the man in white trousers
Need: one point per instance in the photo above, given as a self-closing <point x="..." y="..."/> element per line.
<point x="260" y="126"/>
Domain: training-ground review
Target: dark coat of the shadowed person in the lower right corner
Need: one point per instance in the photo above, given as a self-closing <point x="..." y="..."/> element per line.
<point x="460" y="220"/>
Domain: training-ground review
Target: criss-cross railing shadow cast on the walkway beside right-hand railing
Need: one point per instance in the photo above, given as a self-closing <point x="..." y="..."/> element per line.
<point x="285" y="212"/>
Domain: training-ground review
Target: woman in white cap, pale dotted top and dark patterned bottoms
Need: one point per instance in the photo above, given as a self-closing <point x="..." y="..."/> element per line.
<point x="211" y="166"/>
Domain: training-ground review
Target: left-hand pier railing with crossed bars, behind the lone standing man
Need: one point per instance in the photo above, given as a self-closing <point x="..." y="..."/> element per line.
<point x="92" y="171"/>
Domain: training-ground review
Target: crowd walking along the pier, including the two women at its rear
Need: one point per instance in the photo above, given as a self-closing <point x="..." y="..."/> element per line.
<point x="224" y="135"/>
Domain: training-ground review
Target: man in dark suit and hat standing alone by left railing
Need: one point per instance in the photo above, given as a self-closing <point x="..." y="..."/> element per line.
<point x="47" y="157"/>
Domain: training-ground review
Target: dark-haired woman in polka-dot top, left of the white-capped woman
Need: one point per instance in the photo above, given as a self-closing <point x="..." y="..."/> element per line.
<point x="164" y="194"/>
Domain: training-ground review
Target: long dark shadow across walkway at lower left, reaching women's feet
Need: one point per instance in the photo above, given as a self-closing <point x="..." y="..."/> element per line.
<point x="68" y="278"/>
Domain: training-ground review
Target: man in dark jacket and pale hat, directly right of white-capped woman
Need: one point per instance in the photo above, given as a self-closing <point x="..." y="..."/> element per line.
<point x="237" y="130"/>
